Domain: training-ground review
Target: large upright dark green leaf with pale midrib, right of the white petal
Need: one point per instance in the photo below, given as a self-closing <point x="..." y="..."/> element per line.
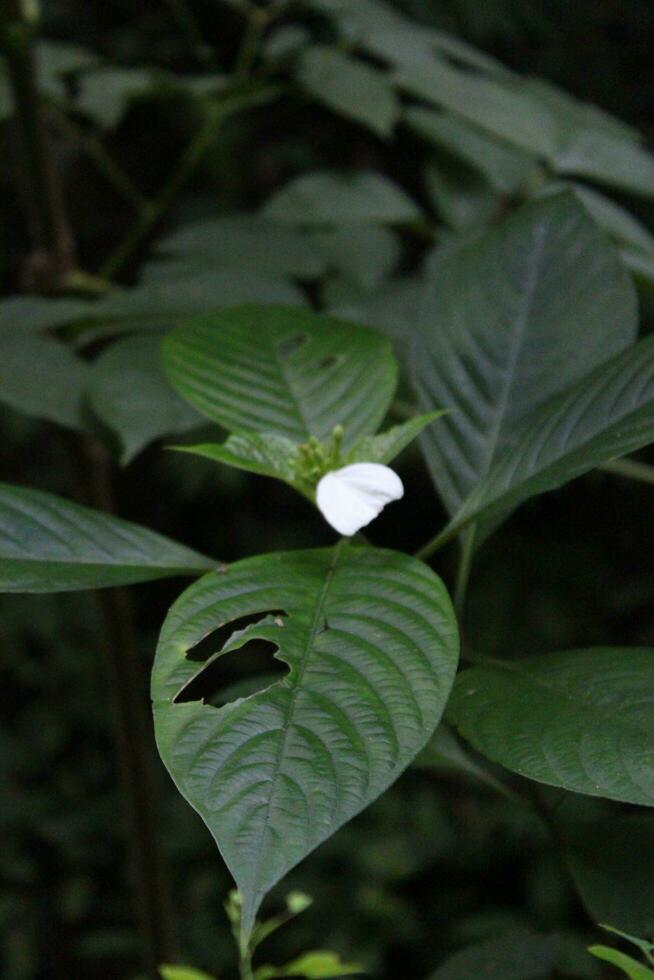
<point x="510" y="319"/>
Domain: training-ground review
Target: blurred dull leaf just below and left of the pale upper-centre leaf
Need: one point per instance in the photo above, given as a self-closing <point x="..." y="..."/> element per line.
<point x="244" y="242"/>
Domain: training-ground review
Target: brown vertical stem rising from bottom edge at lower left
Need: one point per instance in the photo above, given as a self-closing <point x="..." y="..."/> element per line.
<point x="133" y="737"/>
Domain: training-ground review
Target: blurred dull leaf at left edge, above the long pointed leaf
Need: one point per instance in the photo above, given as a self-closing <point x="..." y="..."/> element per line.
<point x="42" y="378"/>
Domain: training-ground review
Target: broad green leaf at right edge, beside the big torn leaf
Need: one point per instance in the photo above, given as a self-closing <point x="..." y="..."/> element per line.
<point x="580" y="720"/>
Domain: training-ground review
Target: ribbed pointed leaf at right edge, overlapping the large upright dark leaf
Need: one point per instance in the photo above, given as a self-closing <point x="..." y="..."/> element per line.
<point x="607" y="414"/>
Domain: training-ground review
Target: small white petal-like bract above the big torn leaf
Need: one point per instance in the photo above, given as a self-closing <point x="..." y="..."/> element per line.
<point x="353" y="496"/>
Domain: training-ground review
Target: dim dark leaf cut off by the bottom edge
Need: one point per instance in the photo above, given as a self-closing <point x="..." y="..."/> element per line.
<point x="518" y="955"/>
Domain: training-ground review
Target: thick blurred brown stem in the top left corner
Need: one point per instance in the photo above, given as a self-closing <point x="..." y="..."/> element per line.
<point x="53" y="258"/>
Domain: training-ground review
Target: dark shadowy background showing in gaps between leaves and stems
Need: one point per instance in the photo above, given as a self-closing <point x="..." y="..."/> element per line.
<point x="440" y="860"/>
